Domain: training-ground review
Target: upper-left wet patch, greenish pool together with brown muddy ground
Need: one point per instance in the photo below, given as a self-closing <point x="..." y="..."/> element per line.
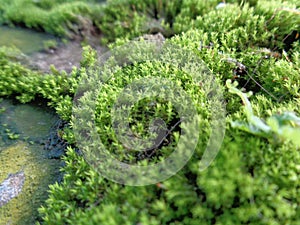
<point x="40" y="55"/>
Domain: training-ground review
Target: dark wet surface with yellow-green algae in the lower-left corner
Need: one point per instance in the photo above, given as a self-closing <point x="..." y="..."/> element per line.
<point x="25" y="155"/>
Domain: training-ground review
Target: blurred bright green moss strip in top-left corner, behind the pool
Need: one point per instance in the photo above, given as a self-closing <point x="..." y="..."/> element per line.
<point x="57" y="17"/>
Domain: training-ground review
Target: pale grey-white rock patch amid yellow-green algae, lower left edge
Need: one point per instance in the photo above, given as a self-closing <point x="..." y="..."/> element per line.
<point x="11" y="187"/>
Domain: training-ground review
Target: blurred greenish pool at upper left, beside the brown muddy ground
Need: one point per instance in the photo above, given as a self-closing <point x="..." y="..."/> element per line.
<point x="28" y="41"/>
